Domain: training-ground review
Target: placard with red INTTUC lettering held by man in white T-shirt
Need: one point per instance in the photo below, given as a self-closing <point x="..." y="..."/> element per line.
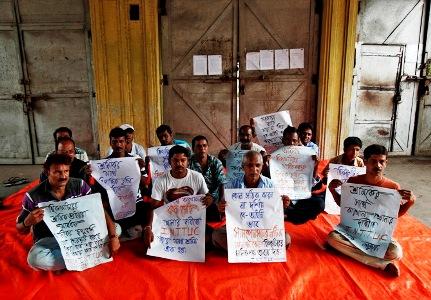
<point x="179" y="230"/>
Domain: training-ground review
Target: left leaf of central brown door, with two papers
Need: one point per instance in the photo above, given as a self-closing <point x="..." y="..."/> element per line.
<point x="195" y="105"/>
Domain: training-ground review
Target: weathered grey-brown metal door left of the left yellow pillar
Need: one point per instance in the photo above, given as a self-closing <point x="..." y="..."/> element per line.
<point x="55" y="79"/>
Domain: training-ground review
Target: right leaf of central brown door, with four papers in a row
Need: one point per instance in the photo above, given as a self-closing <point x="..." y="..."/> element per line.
<point x="279" y="24"/>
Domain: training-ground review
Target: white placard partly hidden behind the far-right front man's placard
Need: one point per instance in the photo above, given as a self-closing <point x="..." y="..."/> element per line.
<point x="341" y="172"/>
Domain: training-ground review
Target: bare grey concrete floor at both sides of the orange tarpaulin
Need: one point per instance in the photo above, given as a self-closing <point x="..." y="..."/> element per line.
<point x="413" y="173"/>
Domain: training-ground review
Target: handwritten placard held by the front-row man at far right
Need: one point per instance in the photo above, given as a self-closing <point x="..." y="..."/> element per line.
<point x="368" y="216"/>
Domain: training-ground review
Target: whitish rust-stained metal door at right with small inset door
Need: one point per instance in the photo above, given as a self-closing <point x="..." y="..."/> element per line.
<point x="388" y="55"/>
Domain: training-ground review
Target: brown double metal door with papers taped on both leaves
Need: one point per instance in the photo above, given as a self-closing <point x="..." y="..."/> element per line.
<point x="208" y="104"/>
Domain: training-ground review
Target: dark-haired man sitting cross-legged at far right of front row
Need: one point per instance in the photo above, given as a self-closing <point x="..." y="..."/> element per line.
<point x="375" y="162"/>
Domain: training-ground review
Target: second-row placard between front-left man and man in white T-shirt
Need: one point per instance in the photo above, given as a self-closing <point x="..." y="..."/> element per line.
<point x="120" y="178"/>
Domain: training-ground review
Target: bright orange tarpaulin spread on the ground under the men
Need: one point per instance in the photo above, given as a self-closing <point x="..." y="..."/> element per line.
<point x="311" y="272"/>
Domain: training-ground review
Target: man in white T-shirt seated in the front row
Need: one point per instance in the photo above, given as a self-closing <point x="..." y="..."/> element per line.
<point x="178" y="182"/>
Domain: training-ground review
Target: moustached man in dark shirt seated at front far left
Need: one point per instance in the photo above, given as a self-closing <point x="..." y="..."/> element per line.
<point x="45" y="253"/>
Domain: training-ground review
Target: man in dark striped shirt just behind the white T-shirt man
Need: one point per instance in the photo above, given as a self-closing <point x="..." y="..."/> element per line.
<point x="212" y="170"/>
